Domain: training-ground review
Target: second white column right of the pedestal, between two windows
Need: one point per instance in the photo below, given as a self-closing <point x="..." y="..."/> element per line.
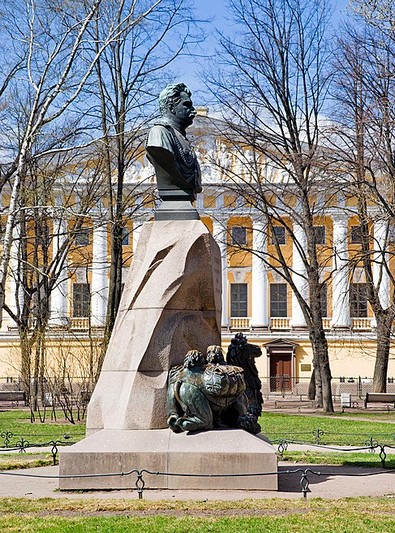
<point x="259" y="318"/>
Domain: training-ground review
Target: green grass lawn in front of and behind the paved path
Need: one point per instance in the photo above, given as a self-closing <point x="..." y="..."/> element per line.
<point x="314" y="515"/>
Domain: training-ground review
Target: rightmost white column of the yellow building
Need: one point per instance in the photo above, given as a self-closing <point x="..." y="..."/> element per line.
<point x="380" y="265"/>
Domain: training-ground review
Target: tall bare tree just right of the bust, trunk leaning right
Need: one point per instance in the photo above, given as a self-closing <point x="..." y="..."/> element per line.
<point x="273" y="87"/>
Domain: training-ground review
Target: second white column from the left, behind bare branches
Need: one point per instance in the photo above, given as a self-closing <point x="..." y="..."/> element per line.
<point x="59" y="293"/>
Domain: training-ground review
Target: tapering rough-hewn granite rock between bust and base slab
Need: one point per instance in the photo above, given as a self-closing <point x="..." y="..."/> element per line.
<point x="171" y="304"/>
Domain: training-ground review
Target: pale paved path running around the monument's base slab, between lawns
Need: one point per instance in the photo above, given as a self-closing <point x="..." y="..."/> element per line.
<point x="332" y="483"/>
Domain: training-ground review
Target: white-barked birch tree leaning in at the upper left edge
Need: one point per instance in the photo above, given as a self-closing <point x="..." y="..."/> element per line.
<point x="59" y="56"/>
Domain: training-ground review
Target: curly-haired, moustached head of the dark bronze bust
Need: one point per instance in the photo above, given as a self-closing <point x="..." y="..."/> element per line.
<point x="175" y="104"/>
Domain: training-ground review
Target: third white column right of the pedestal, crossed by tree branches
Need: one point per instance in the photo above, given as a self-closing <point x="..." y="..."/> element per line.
<point x="299" y="276"/>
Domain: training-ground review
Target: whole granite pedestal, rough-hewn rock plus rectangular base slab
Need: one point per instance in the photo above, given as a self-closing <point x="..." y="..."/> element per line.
<point x="171" y="304"/>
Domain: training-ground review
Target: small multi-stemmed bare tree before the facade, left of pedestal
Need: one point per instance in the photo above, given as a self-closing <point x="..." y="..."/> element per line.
<point x="40" y="252"/>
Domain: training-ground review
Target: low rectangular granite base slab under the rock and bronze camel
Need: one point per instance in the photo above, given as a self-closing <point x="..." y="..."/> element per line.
<point x="104" y="455"/>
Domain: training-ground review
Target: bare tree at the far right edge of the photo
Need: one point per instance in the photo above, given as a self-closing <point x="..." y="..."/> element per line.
<point x="364" y="138"/>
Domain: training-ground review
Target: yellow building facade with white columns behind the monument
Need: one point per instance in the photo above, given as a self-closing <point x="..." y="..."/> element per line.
<point x="255" y="300"/>
